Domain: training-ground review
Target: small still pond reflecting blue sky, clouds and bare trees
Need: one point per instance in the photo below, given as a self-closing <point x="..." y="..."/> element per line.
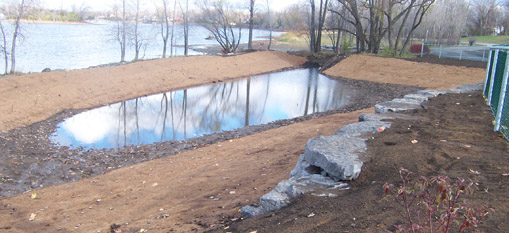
<point x="193" y="112"/>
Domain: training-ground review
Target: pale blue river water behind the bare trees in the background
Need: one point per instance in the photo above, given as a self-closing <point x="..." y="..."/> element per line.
<point x="75" y="46"/>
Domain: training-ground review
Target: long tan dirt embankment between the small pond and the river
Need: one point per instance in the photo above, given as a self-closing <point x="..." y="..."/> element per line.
<point x="34" y="97"/>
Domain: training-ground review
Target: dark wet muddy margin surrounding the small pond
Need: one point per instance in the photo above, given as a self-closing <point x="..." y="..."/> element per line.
<point x="32" y="161"/>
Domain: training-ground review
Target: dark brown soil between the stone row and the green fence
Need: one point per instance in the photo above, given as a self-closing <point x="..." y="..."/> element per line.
<point x="454" y="137"/>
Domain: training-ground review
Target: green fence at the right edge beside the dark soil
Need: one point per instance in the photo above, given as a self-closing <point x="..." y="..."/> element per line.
<point x="495" y="87"/>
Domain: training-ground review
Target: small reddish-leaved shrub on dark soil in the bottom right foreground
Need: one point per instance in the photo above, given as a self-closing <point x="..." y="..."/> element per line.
<point x="434" y="204"/>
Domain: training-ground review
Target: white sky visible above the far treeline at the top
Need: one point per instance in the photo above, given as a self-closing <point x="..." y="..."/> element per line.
<point x="98" y="5"/>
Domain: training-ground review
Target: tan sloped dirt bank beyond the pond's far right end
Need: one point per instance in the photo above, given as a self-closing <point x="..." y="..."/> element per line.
<point x="398" y="71"/>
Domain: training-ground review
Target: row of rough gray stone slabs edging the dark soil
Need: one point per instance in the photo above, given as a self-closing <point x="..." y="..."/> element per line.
<point x="328" y="160"/>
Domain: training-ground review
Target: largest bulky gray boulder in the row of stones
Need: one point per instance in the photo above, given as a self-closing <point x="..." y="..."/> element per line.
<point x="338" y="156"/>
